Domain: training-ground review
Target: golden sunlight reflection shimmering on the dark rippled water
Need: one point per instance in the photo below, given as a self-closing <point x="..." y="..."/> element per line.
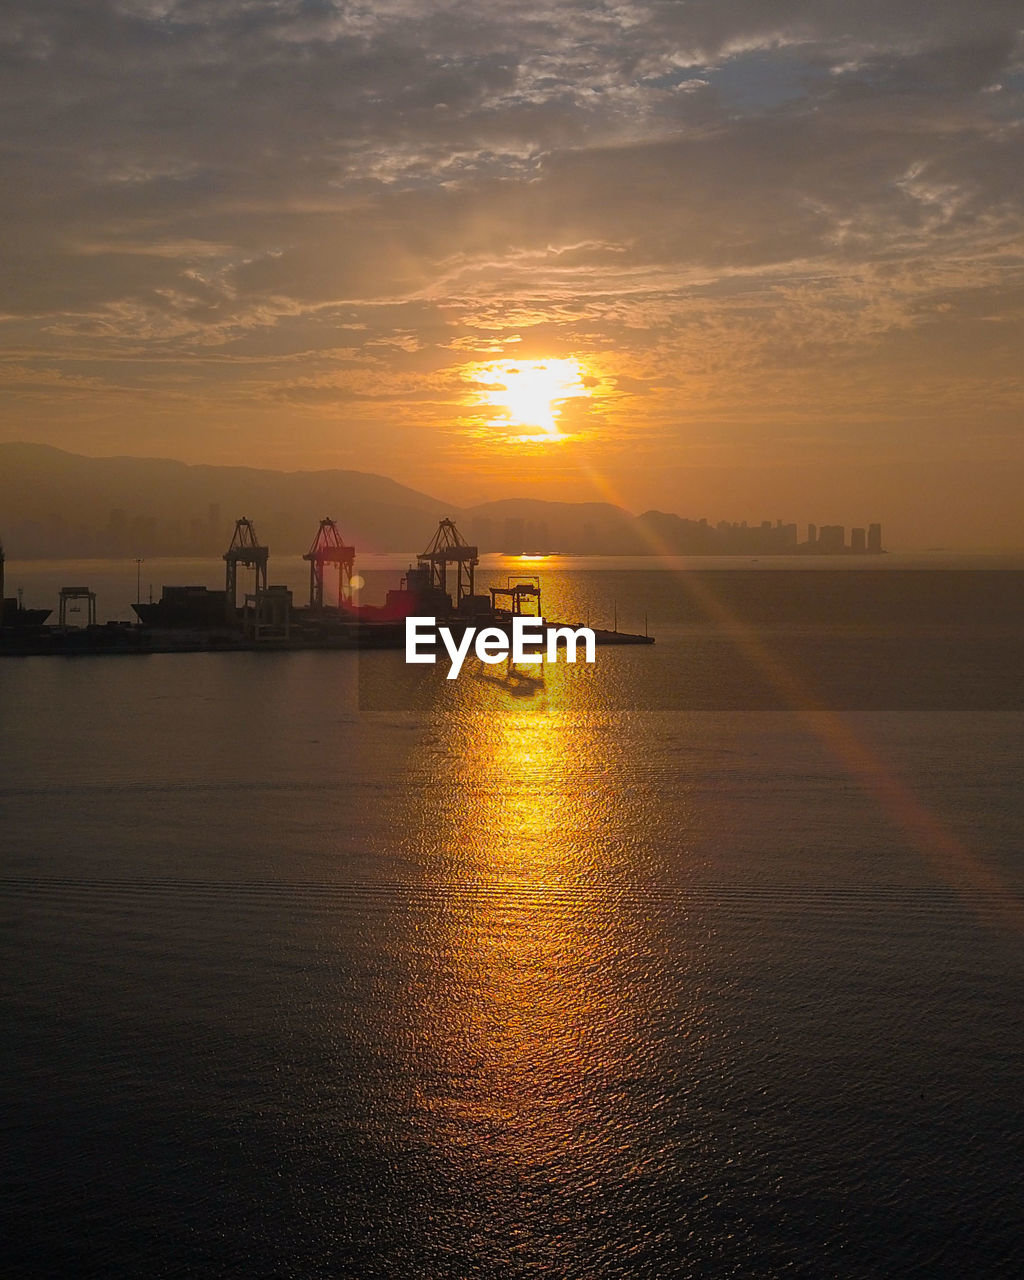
<point x="531" y="1016"/>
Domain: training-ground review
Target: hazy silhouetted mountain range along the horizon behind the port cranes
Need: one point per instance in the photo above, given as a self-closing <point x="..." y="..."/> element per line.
<point x="63" y="505"/>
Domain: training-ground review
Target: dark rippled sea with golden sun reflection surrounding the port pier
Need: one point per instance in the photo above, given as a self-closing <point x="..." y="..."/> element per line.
<point x="703" y="962"/>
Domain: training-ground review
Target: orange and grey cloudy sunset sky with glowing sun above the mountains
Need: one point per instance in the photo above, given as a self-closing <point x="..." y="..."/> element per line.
<point x="737" y="259"/>
